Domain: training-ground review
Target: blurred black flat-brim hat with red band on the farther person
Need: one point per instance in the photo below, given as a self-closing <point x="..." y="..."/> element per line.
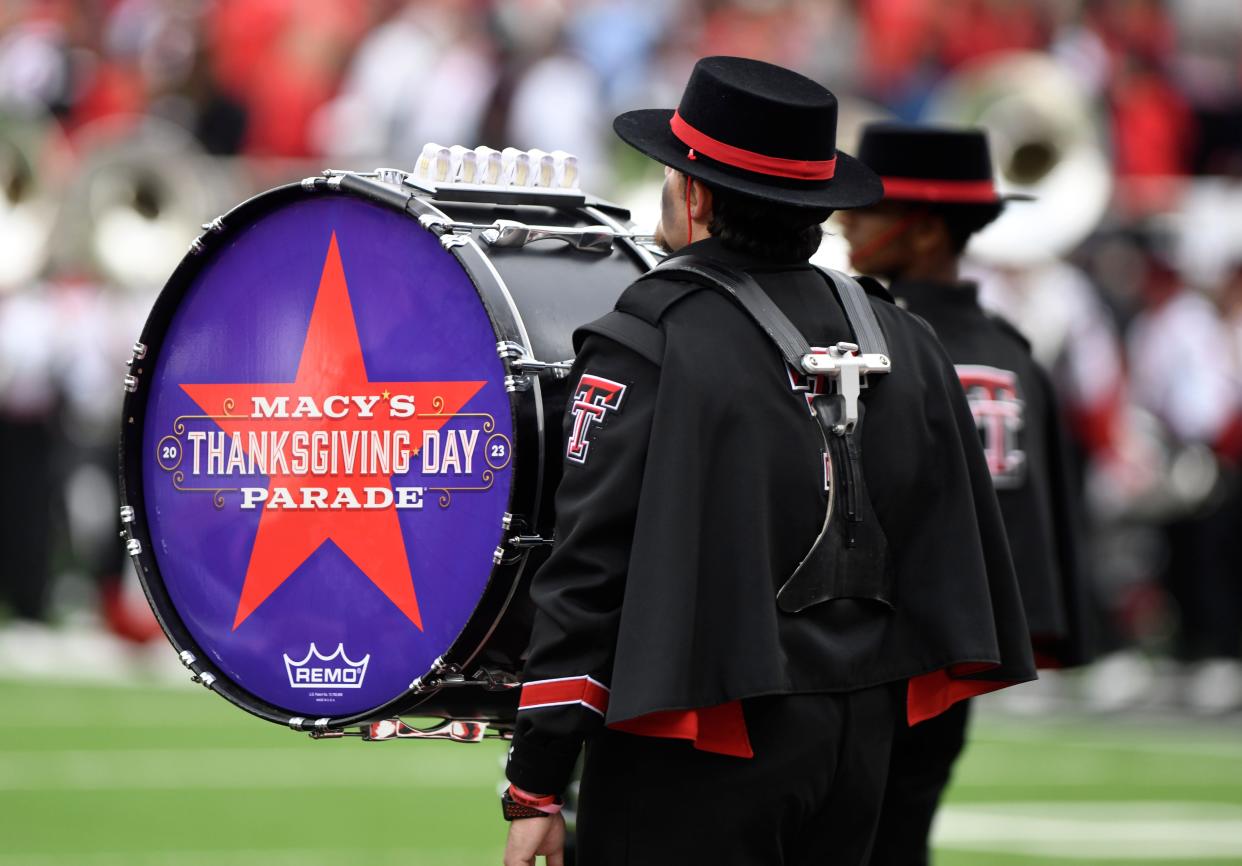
<point x="932" y="165"/>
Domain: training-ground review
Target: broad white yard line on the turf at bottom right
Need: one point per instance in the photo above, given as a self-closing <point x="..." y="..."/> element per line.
<point x="1101" y="832"/>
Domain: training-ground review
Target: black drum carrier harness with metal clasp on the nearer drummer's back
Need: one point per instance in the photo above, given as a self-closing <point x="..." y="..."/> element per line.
<point x="849" y="558"/>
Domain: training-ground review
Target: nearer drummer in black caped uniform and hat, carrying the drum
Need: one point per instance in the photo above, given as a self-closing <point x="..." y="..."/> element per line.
<point x="721" y="725"/>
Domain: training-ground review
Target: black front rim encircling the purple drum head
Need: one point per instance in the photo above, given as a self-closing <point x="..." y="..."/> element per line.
<point x="509" y="576"/>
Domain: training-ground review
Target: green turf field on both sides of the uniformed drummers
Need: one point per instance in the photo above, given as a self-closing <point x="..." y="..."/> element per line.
<point x="165" y="777"/>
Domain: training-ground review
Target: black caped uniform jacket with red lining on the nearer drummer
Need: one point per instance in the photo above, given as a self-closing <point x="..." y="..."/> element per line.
<point x="692" y="489"/>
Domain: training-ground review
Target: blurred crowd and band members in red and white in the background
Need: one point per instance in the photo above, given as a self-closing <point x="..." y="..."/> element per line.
<point x="125" y="124"/>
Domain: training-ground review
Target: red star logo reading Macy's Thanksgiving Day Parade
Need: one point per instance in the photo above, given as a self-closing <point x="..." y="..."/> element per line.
<point x="331" y="444"/>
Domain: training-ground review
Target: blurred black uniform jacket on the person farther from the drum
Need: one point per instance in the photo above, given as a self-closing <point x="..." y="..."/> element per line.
<point x="1025" y="444"/>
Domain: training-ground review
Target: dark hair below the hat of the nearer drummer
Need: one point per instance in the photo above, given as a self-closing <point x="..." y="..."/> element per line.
<point x="766" y="229"/>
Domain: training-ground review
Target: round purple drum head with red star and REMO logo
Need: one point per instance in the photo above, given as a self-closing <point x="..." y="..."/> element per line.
<point x="327" y="455"/>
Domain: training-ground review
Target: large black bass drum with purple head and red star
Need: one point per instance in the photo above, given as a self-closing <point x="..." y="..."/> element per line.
<point x="342" y="437"/>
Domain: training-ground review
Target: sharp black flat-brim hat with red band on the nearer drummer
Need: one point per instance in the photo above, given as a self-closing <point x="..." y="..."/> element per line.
<point x="756" y="129"/>
